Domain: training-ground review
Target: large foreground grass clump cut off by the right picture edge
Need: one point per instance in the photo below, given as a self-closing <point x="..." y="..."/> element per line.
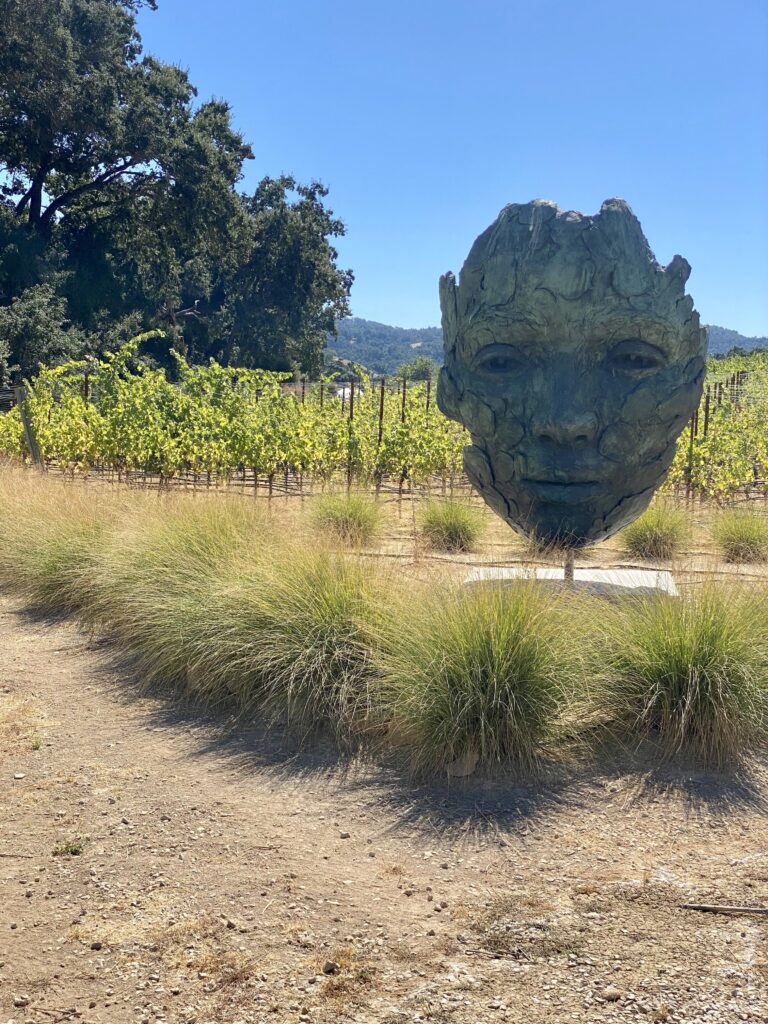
<point x="690" y="672"/>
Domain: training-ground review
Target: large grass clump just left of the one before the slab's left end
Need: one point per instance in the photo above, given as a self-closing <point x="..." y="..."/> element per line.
<point x="295" y="638"/>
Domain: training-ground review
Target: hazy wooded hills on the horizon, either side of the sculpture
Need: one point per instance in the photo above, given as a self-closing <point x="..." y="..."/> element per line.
<point x="383" y="349"/>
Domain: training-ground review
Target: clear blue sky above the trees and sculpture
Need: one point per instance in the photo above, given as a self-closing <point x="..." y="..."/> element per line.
<point x="426" y="117"/>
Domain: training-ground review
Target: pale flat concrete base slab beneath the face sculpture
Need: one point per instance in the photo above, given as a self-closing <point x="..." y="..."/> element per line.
<point x="607" y="583"/>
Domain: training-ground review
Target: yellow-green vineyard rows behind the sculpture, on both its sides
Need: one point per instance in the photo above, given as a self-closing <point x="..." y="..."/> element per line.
<point x="218" y="423"/>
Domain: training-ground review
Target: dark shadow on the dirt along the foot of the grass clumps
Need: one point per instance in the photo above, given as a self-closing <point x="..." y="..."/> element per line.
<point x="488" y="808"/>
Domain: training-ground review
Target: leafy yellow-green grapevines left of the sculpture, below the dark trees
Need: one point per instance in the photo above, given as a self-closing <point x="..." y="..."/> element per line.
<point x="218" y="419"/>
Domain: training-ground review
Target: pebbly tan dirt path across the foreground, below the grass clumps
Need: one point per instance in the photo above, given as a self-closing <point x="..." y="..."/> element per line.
<point x="221" y="874"/>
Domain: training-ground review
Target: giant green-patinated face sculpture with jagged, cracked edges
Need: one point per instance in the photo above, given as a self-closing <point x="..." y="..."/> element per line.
<point x="575" y="361"/>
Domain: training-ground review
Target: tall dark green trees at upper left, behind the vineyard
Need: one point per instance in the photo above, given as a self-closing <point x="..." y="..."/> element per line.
<point x="99" y="145"/>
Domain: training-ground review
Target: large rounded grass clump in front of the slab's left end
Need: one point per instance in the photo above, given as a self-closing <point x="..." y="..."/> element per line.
<point x="476" y="676"/>
